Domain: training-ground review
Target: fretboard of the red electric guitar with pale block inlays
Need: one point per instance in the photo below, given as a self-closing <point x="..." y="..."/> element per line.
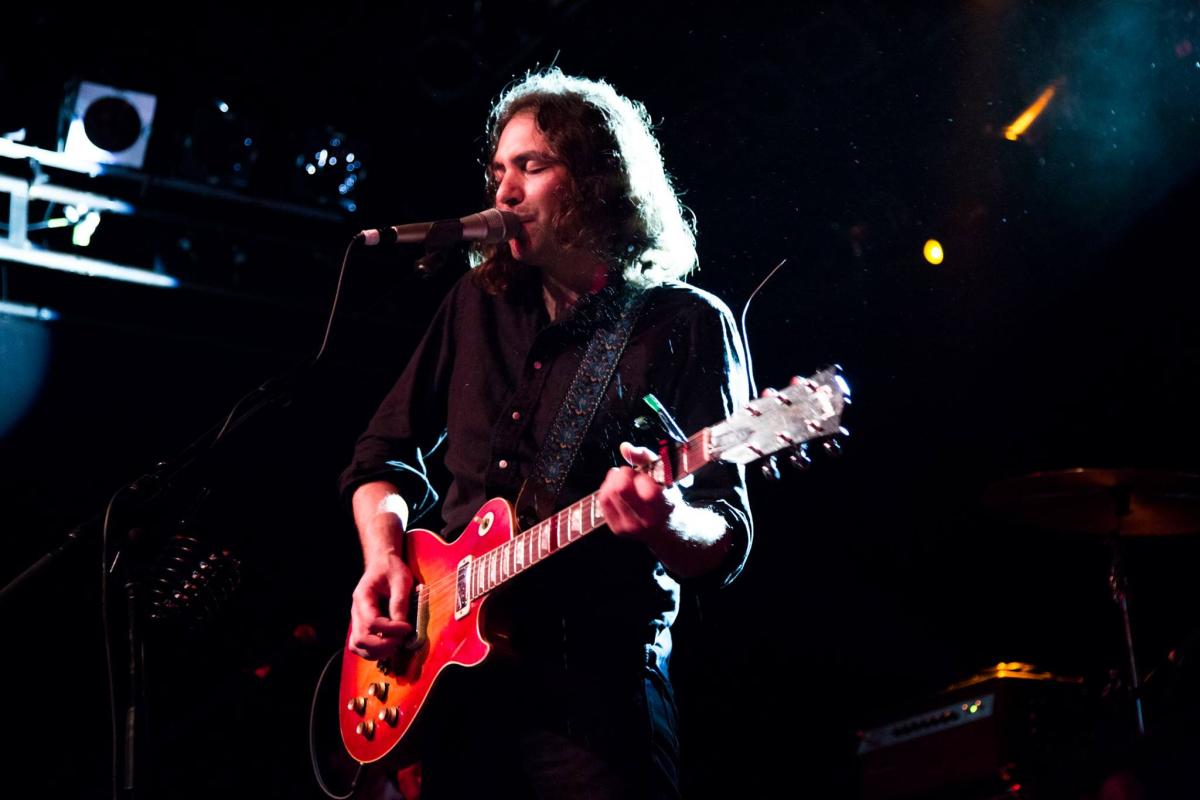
<point x="567" y="527"/>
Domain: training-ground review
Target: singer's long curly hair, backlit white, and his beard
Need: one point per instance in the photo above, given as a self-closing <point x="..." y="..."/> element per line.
<point x="620" y="203"/>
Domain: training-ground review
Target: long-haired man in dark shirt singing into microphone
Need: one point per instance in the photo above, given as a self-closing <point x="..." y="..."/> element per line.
<point x="581" y="703"/>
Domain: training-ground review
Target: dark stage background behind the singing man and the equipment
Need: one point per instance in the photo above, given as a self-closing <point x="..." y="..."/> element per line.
<point x="1060" y="332"/>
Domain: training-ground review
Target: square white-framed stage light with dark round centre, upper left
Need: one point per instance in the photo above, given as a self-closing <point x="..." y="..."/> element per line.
<point x="107" y="125"/>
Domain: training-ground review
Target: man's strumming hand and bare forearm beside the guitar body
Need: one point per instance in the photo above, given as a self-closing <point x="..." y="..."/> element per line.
<point x="380" y="605"/>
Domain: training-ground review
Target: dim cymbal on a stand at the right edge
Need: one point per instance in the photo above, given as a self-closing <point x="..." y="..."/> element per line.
<point x="1103" y="502"/>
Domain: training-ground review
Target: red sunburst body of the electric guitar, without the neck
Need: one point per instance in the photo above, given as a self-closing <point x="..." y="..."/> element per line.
<point x="373" y="723"/>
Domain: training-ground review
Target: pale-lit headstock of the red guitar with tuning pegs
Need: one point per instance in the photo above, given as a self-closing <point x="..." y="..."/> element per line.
<point x="809" y="408"/>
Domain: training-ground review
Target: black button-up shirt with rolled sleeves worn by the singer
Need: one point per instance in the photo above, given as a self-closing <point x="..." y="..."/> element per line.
<point x="490" y="375"/>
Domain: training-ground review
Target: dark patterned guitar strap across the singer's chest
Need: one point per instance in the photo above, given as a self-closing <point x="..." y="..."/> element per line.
<point x="583" y="401"/>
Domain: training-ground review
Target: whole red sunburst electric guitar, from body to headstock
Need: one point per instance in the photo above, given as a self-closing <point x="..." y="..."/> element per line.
<point x="382" y="700"/>
